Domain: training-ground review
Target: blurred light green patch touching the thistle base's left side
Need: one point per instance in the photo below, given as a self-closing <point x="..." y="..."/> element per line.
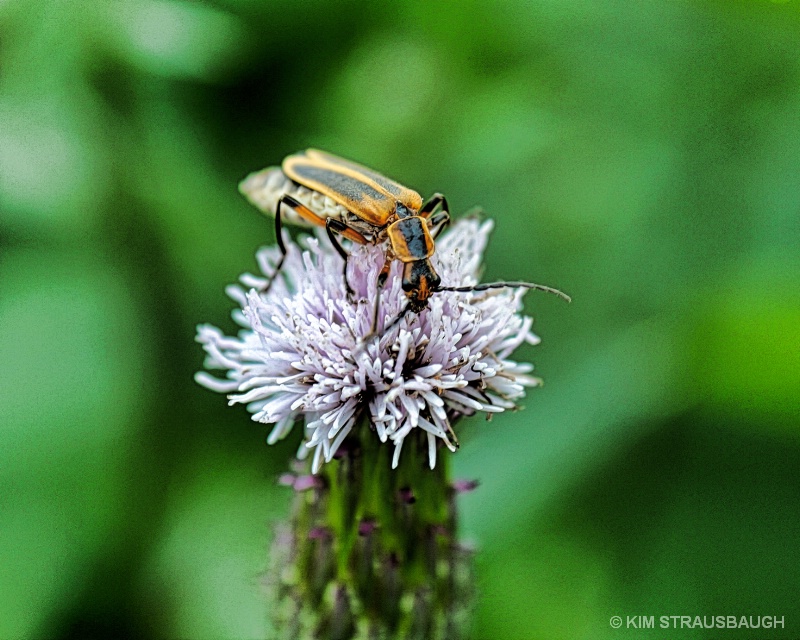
<point x="207" y="574"/>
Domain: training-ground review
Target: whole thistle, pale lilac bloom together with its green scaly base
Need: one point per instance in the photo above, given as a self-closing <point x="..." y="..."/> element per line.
<point x="368" y="552"/>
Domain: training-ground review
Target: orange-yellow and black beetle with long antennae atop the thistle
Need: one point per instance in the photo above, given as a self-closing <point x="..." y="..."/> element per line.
<point x="350" y="200"/>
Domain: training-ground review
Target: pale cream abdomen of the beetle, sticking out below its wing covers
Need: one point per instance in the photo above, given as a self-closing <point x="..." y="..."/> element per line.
<point x="265" y="187"/>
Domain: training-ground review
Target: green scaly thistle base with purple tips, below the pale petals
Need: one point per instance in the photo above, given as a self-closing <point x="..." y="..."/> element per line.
<point x="372" y="552"/>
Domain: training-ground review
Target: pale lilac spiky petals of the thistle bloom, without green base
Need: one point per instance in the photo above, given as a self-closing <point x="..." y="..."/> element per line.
<point x="304" y="352"/>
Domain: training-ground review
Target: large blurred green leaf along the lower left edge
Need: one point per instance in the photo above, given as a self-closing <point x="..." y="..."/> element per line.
<point x="73" y="371"/>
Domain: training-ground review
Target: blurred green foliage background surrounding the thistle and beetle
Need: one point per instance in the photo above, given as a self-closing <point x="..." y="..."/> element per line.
<point x="643" y="156"/>
